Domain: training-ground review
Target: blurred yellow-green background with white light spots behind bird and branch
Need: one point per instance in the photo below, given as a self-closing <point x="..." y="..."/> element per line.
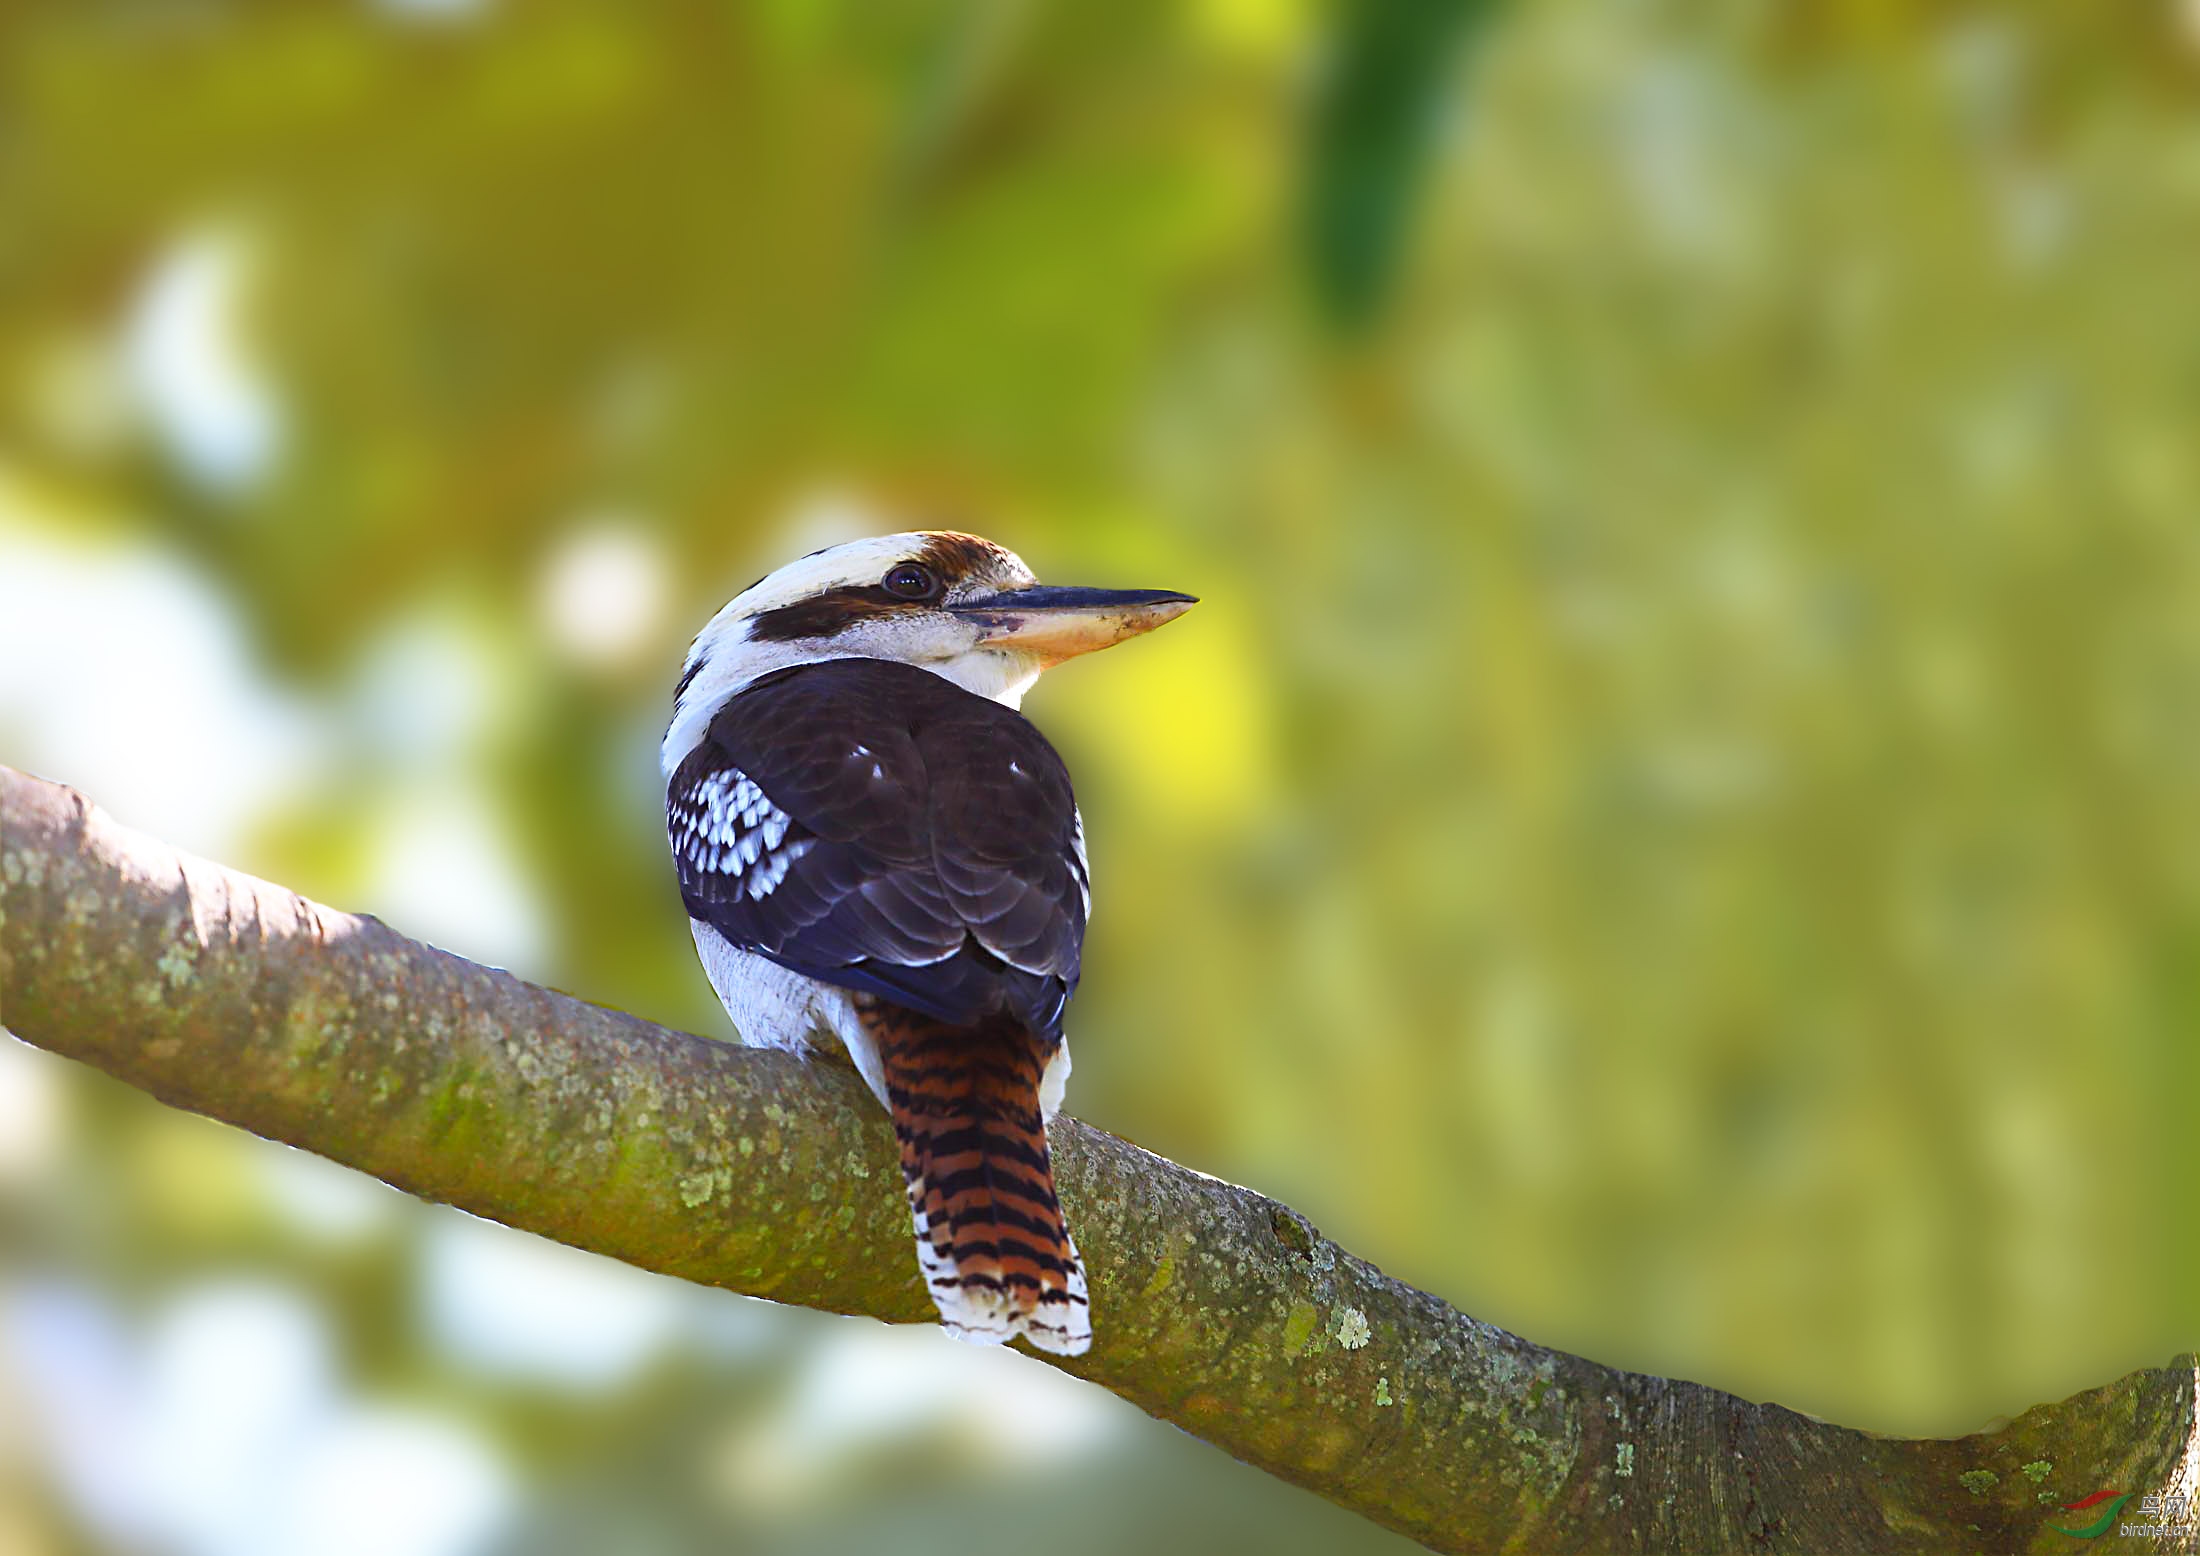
<point x="1673" y="829"/>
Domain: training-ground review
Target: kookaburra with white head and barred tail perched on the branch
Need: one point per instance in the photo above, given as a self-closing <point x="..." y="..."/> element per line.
<point x="877" y="846"/>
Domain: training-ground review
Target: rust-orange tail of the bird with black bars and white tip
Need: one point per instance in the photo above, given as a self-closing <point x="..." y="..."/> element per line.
<point x="991" y="1236"/>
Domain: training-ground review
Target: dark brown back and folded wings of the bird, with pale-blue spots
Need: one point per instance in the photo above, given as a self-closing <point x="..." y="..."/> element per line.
<point x="881" y="829"/>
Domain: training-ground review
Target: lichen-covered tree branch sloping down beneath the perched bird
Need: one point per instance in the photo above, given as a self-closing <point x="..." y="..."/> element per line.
<point x="758" y="1172"/>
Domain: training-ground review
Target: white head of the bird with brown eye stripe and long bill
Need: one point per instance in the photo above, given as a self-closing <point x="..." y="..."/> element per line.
<point x="958" y="606"/>
